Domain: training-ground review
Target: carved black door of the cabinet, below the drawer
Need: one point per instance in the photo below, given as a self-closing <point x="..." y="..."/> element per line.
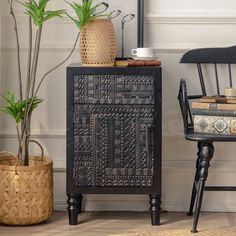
<point x="113" y="145"/>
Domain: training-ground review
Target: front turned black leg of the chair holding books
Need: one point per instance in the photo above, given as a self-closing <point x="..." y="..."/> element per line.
<point x="205" y="156"/>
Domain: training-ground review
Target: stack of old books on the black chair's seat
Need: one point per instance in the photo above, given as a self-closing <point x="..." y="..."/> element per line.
<point x="215" y="115"/>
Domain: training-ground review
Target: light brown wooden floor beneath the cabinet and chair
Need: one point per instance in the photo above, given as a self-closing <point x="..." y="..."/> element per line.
<point x="108" y="223"/>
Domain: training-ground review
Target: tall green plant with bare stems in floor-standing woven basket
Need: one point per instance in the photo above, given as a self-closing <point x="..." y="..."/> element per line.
<point x="26" y="195"/>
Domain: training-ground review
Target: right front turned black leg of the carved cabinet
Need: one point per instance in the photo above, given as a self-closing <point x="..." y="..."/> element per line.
<point x="155" y="208"/>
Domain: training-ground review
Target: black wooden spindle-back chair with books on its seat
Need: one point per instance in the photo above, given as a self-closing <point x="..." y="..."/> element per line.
<point x="206" y="57"/>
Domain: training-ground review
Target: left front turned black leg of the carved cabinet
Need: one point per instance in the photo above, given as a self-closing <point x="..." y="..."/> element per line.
<point x="74" y="207"/>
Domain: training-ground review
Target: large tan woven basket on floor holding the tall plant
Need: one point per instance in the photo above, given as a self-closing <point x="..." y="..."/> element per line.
<point x="26" y="195"/>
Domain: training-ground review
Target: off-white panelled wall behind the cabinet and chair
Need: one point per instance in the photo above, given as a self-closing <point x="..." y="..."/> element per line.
<point x="171" y="27"/>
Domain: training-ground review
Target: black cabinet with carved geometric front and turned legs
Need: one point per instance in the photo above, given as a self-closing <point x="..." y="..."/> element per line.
<point x="113" y="134"/>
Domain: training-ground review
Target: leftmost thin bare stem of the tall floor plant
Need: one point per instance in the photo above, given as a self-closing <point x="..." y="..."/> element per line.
<point x="18" y="48"/>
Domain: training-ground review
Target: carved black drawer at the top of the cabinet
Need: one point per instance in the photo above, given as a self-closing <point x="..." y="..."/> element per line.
<point x="114" y="89"/>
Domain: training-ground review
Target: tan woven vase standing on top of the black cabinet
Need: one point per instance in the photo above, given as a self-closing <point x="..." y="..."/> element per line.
<point x="98" y="43"/>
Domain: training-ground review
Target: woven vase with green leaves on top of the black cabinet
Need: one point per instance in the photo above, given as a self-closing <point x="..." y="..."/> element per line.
<point x="97" y="38"/>
